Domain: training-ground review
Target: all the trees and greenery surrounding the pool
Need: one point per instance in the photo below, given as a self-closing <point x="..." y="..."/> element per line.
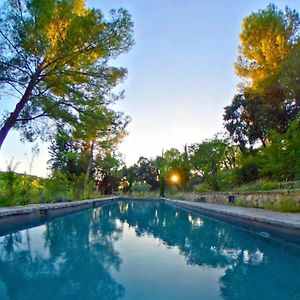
<point x="258" y="150"/>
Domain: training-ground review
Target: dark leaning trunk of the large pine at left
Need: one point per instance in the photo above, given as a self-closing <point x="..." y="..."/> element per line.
<point x="12" y="119"/>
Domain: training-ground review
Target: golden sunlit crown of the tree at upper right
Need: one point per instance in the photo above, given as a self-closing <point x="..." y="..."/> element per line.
<point x="267" y="39"/>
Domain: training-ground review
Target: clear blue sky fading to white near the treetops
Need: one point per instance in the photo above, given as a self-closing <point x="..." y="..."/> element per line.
<point x="180" y="75"/>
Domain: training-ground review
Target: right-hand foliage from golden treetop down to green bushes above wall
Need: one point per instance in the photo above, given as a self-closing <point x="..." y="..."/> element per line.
<point x="268" y="102"/>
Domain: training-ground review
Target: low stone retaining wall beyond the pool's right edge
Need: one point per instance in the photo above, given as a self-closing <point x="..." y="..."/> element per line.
<point x="265" y="199"/>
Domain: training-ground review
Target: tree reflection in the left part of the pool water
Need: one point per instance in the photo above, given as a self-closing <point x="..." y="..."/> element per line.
<point x="68" y="258"/>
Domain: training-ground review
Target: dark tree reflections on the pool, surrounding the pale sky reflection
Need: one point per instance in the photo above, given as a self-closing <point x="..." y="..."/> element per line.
<point x="72" y="257"/>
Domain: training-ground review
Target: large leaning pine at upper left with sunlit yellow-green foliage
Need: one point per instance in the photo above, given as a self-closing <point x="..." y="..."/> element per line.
<point x="54" y="59"/>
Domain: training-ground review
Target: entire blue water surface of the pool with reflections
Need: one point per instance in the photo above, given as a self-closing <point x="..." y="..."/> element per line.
<point x="143" y="251"/>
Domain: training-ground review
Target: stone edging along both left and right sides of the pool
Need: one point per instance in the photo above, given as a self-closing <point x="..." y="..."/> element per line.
<point x="276" y="223"/>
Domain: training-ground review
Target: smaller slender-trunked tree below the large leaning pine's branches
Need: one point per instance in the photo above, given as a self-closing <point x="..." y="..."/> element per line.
<point x="96" y="135"/>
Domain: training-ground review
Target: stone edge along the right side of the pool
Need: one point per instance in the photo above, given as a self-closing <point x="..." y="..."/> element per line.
<point x="277" y="224"/>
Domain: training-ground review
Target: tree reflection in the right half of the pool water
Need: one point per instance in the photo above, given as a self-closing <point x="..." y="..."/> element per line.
<point x="254" y="266"/>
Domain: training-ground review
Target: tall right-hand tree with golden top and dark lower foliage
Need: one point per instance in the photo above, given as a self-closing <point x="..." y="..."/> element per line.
<point x="268" y="60"/>
